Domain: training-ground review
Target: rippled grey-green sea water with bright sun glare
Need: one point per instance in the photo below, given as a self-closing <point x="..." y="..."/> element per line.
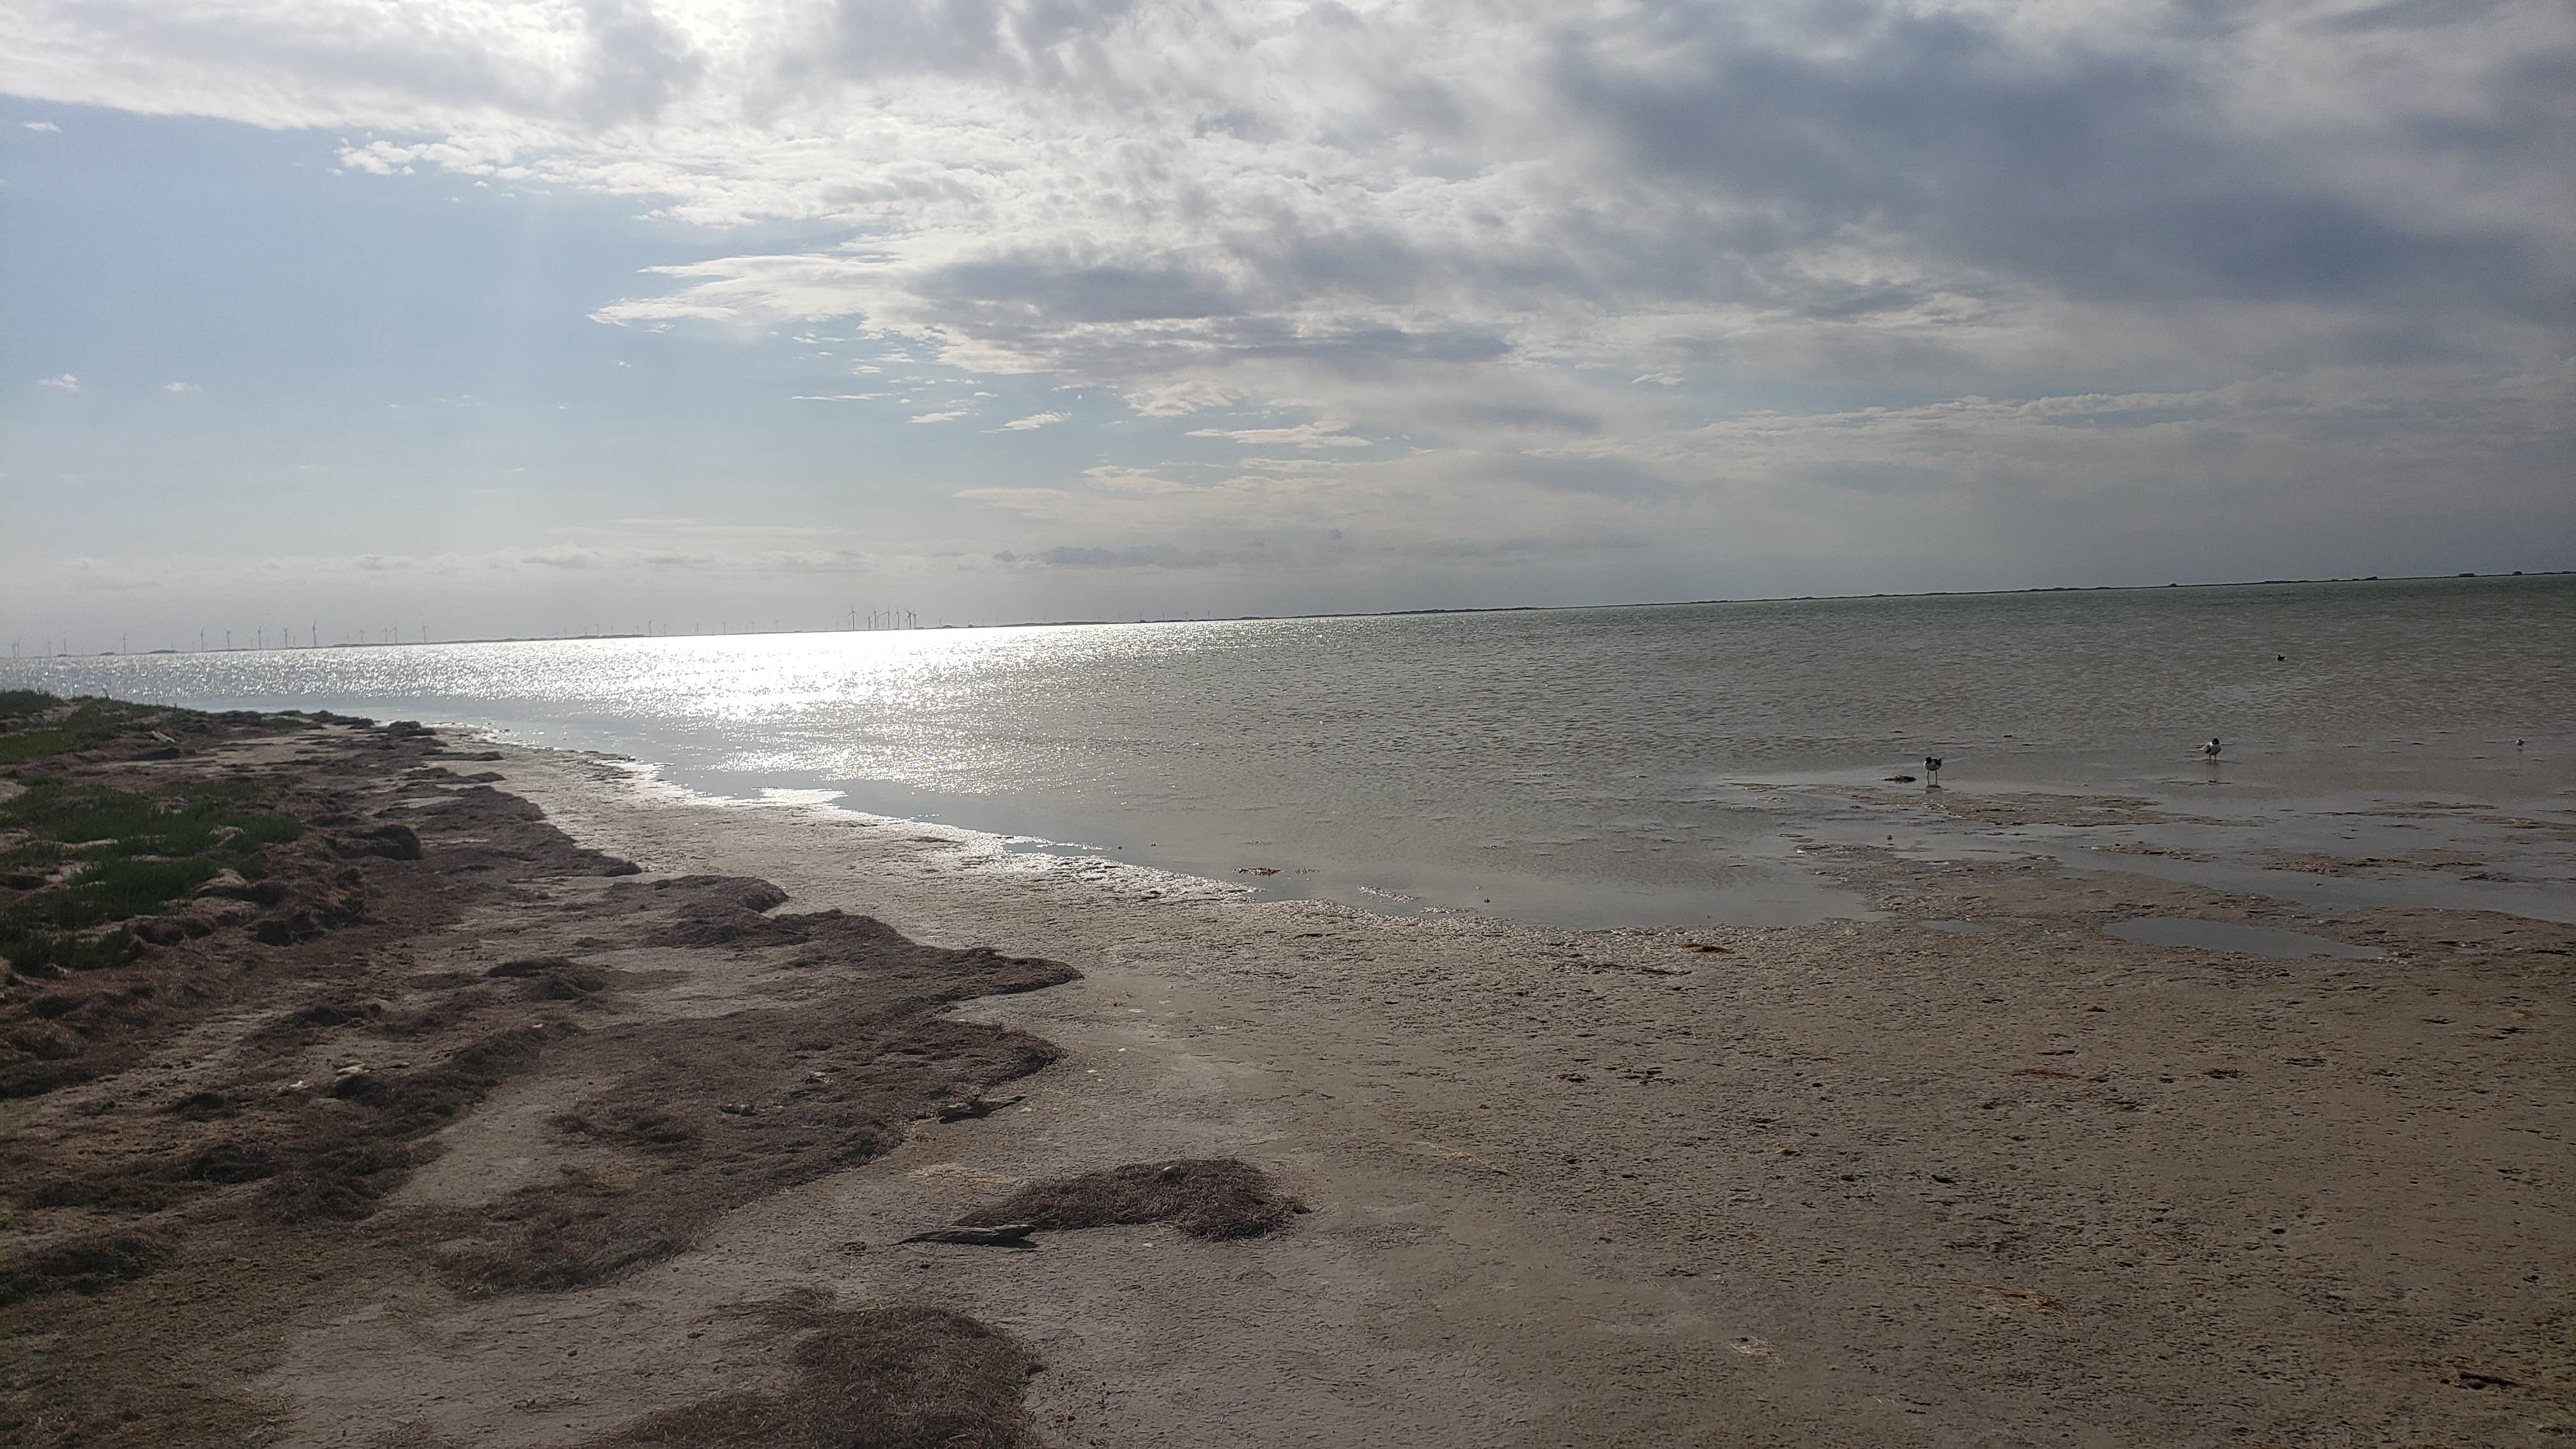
<point x="1596" y="767"/>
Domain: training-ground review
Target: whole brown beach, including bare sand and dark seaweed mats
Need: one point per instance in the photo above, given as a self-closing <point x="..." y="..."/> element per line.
<point x="607" y="1131"/>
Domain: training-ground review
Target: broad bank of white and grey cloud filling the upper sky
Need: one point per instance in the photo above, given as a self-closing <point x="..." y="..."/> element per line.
<point x="2052" y="241"/>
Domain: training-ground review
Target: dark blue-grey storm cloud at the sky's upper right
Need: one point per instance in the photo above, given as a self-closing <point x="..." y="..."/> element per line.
<point x="2103" y="177"/>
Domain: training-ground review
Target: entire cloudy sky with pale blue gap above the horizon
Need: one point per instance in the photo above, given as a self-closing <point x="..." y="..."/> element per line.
<point x="591" y="316"/>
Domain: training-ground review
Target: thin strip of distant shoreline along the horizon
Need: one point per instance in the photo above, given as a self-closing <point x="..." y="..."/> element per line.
<point x="1333" y="615"/>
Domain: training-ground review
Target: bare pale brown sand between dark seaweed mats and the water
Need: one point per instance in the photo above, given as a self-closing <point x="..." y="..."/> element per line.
<point x="1877" y="1182"/>
